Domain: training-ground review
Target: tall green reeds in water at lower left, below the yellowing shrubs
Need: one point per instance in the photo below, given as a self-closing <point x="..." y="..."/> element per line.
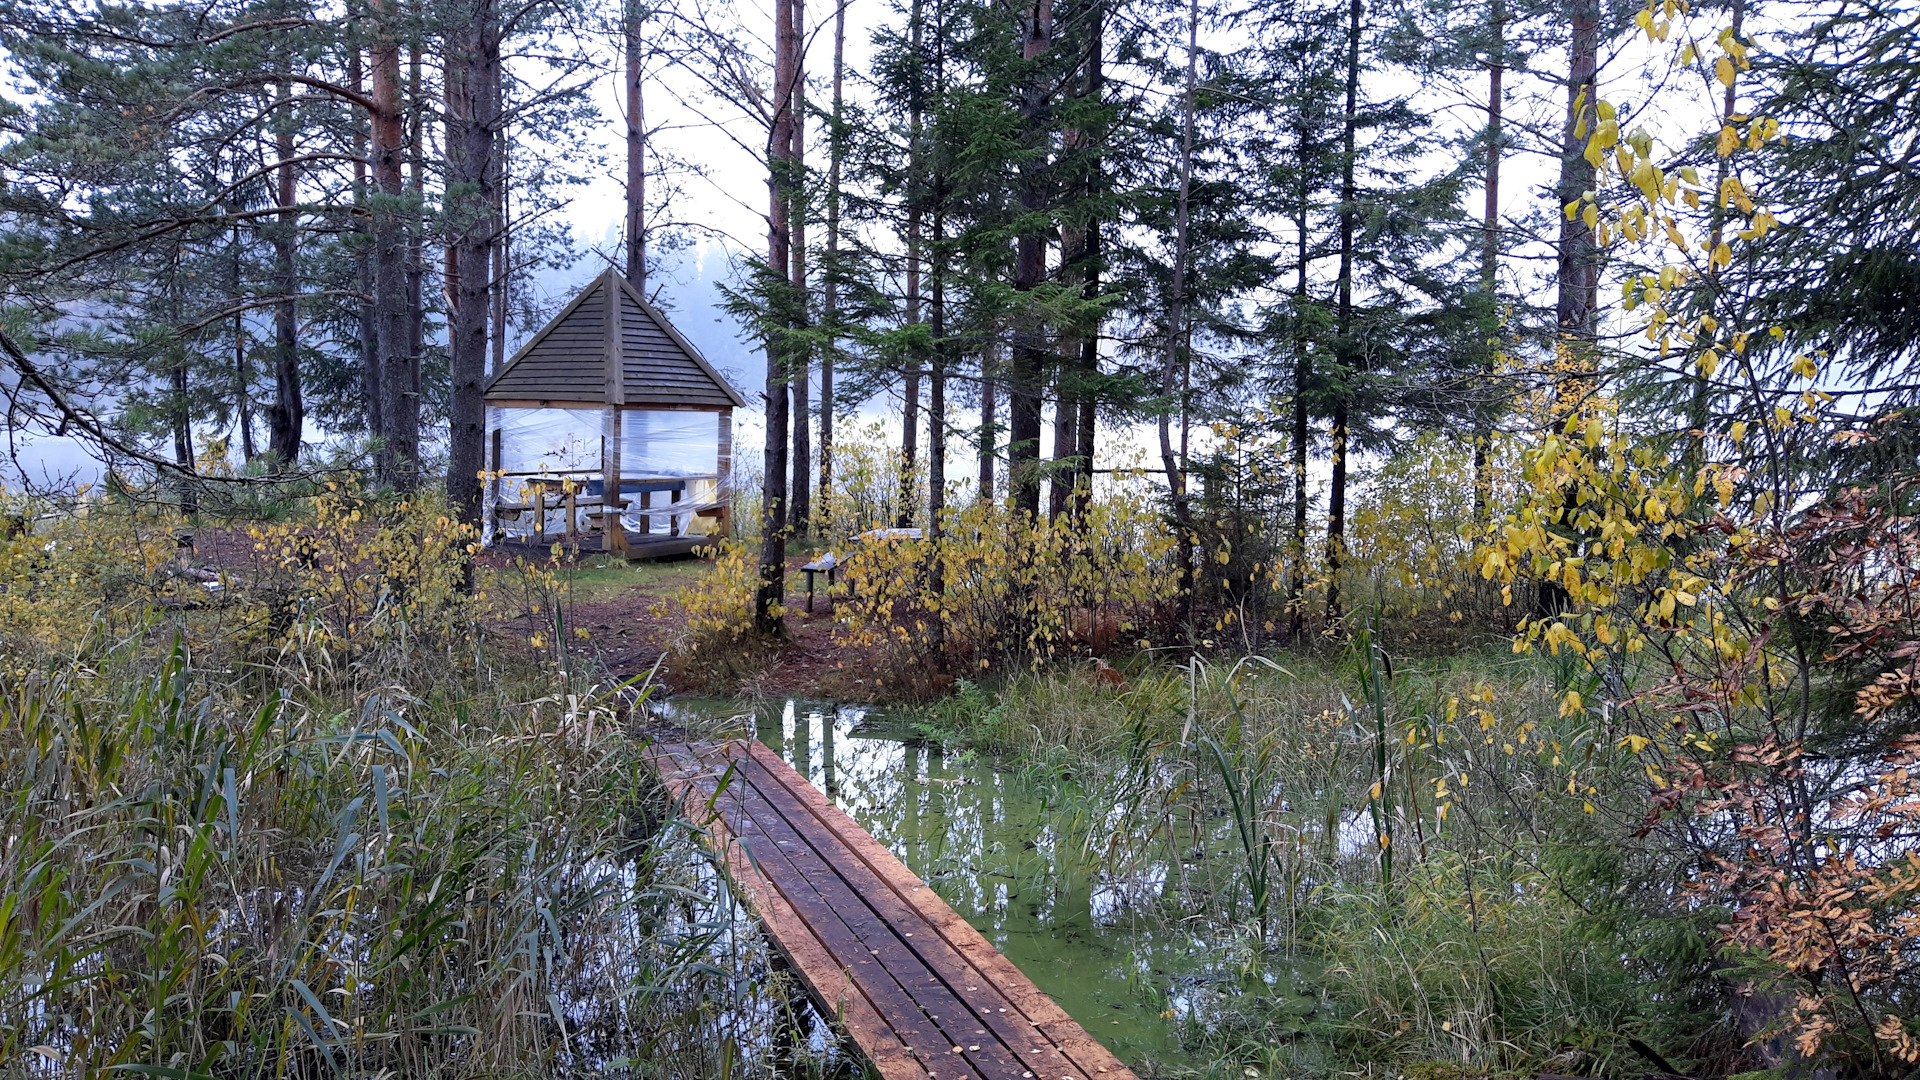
<point x="218" y="885"/>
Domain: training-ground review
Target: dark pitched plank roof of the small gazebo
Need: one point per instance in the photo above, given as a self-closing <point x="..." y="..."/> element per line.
<point x="612" y="347"/>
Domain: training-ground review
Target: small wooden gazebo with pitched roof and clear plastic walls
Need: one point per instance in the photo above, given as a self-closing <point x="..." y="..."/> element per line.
<point x="610" y="420"/>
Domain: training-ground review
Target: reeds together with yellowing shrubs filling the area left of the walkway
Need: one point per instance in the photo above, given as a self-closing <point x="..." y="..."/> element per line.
<point x="354" y="843"/>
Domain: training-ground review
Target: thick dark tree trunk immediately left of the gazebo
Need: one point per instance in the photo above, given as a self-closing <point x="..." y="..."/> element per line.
<point x="471" y="180"/>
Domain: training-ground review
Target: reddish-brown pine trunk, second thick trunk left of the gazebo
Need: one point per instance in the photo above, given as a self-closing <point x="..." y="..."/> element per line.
<point x="398" y="403"/>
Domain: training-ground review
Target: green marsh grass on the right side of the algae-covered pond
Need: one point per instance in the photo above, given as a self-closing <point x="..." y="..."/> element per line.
<point x="1514" y="929"/>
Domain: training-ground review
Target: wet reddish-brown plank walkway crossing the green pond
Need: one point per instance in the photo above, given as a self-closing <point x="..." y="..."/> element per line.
<point x="911" y="983"/>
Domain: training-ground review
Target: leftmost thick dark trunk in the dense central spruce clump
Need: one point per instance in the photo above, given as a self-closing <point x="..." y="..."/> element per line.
<point x="1030" y="268"/>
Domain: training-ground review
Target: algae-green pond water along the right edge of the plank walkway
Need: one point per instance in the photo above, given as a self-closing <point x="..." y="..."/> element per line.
<point x="1003" y="850"/>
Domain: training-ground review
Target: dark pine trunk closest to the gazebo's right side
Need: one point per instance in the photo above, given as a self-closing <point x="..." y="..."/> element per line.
<point x="773" y="589"/>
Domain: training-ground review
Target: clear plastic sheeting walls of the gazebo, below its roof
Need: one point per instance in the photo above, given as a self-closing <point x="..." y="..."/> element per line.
<point x="658" y="447"/>
